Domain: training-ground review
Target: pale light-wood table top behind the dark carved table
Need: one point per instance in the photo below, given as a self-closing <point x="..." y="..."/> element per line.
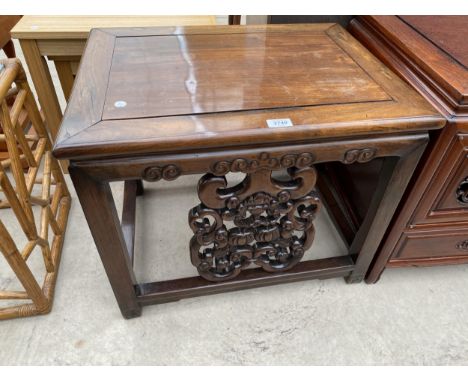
<point x="78" y="27"/>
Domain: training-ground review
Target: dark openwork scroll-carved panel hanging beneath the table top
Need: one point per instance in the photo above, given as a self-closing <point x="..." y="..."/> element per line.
<point x="272" y="219"/>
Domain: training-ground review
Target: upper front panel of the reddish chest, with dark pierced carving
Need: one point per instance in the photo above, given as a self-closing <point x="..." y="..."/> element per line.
<point x="446" y="198"/>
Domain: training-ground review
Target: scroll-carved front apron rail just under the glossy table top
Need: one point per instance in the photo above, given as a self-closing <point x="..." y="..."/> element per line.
<point x="152" y="167"/>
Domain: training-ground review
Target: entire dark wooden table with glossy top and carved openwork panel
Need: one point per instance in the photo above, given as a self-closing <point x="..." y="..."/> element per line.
<point x="158" y="103"/>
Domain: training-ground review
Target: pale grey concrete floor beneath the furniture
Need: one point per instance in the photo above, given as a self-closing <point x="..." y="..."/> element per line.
<point x="411" y="317"/>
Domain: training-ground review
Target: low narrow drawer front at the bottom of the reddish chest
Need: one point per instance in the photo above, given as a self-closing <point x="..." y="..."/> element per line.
<point x="433" y="243"/>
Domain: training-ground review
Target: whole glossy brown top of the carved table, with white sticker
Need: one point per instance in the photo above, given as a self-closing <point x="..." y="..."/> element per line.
<point x="181" y="89"/>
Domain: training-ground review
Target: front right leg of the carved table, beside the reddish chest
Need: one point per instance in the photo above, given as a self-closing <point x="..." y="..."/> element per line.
<point x="387" y="197"/>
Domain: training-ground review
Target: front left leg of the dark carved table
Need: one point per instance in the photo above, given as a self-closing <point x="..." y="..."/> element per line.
<point x="99" y="208"/>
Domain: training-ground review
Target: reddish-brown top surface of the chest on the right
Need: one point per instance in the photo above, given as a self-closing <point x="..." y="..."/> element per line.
<point x="436" y="45"/>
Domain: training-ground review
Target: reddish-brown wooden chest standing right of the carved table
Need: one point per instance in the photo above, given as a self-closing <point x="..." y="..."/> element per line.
<point x="431" y="53"/>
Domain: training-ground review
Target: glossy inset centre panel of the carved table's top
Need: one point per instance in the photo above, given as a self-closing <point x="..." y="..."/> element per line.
<point x="199" y="74"/>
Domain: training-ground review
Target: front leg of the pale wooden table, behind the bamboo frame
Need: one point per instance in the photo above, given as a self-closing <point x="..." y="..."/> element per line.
<point x="44" y="86"/>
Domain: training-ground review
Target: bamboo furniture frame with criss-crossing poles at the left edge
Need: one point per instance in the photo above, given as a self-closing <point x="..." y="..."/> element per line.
<point x="17" y="186"/>
